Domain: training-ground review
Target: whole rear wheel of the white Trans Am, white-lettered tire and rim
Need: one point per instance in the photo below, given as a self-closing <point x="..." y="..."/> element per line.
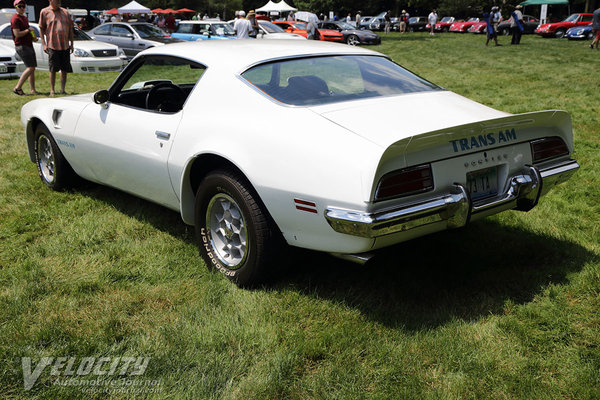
<point x="244" y="244"/>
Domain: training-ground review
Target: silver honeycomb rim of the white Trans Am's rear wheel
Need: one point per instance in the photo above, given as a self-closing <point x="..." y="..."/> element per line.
<point x="228" y="234"/>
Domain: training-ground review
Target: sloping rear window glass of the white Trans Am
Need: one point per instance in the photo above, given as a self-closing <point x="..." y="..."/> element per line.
<point x="330" y="79"/>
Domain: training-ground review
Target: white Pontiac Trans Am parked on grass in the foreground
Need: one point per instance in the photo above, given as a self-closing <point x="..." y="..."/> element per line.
<point x="262" y="143"/>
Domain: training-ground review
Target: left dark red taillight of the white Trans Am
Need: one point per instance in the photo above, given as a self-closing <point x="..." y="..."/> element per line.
<point x="405" y="182"/>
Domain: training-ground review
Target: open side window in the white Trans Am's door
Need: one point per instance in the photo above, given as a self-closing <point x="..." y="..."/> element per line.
<point x="159" y="83"/>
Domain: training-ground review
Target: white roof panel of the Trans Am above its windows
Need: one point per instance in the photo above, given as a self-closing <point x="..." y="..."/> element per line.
<point x="237" y="55"/>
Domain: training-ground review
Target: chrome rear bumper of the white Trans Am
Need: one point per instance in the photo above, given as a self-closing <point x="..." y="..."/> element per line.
<point x="455" y="207"/>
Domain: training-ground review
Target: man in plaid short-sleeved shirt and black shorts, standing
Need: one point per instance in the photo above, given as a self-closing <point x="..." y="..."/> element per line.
<point x="56" y="31"/>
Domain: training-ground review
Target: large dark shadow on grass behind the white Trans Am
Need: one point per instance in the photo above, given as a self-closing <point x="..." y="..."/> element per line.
<point x="461" y="274"/>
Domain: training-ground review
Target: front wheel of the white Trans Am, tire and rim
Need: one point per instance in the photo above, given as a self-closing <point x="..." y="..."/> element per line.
<point x="53" y="169"/>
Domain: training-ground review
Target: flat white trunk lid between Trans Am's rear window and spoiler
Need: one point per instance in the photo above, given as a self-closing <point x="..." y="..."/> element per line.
<point x="387" y="120"/>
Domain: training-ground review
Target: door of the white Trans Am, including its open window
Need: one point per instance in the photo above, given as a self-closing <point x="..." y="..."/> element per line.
<point x="125" y="142"/>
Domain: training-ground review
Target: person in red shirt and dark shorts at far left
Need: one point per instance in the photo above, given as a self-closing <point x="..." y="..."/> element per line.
<point x="23" y="36"/>
